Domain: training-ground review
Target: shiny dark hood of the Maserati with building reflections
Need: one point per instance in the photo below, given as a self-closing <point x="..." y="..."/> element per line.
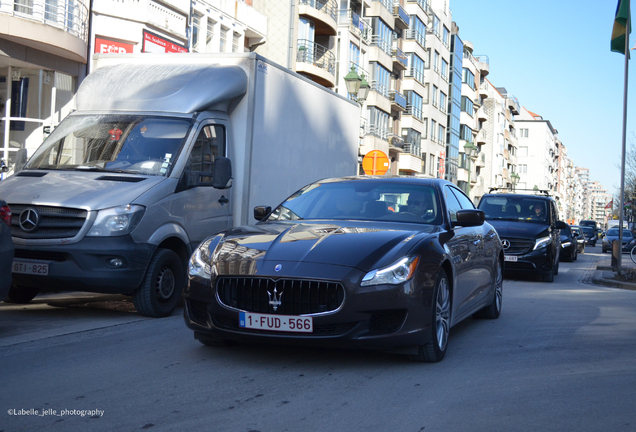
<point x="353" y="244"/>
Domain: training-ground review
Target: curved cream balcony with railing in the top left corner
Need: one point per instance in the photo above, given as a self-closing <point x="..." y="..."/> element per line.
<point x="59" y="28"/>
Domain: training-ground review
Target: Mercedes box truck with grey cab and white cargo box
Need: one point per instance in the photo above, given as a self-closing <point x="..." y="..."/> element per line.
<point x="163" y="151"/>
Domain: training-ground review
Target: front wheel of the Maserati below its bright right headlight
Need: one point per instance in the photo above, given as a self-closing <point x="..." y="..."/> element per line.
<point x="435" y="349"/>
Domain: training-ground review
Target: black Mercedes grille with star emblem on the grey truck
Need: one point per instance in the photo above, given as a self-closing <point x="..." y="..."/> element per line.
<point x="48" y="222"/>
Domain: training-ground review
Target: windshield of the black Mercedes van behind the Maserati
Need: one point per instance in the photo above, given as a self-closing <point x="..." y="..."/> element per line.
<point x="514" y="208"/>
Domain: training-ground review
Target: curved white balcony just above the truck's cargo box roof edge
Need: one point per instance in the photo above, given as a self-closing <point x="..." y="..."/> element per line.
<point x="317" y="62"/>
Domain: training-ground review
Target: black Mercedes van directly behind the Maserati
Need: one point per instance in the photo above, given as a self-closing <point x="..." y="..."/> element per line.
<point x="529" y="229"/>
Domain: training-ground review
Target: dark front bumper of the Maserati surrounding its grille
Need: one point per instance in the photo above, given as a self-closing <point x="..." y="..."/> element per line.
<point x="384" y="317"/>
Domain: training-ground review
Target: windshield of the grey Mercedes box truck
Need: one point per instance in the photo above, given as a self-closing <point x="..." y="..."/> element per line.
<point x="115" y="143"/>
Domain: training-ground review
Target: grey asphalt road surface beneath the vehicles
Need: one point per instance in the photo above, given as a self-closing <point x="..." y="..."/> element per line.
<point x="562" y="357"/>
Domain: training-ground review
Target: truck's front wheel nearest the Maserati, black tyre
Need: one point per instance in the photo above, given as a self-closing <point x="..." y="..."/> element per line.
<point x="161" y="289"/>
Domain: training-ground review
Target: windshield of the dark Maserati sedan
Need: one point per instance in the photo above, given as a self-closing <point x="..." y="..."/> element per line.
<point x="364" y="199"/>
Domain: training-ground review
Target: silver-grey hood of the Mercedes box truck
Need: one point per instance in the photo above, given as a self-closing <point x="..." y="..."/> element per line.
<point x="77" y="189"/>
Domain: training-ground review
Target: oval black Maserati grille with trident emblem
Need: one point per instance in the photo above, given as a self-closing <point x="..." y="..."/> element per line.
<point x="296" y="297"/>
